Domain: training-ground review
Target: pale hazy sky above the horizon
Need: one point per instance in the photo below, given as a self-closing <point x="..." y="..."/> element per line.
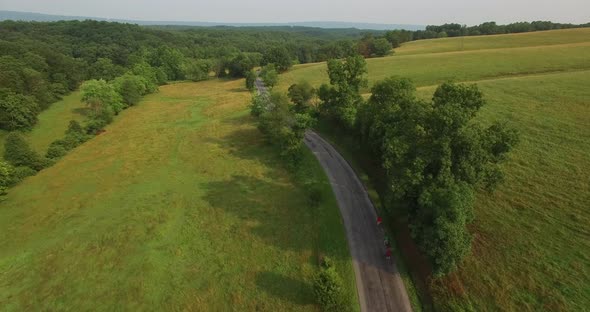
<point x="376" y="11"/>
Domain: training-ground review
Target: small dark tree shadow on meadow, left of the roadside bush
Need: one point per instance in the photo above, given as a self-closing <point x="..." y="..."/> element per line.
<point x="285" y="288"/>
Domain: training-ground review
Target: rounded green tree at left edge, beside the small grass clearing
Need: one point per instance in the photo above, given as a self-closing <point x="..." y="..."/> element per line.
<point x="17" y="111"/>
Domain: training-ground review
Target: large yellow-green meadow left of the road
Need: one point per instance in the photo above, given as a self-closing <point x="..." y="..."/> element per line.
<point x="180" y="205"/>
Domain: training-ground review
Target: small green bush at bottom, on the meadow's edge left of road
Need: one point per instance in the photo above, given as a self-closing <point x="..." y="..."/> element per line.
<point x="329" y="289"/>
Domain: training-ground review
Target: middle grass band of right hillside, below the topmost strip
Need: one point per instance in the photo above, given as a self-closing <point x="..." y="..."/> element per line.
<point x="430" y="69"/>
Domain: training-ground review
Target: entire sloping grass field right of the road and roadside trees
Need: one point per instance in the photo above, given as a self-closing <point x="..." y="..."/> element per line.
<point x="532" y="236"/>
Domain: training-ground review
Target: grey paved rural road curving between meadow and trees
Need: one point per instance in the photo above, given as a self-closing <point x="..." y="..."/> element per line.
<point x="379" y="284"/>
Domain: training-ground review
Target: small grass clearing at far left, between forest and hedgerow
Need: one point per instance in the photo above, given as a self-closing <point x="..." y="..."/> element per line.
<point x="53" y="122"/>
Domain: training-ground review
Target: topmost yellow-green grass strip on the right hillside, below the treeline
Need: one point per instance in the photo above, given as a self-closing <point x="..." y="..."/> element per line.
<point x="531" y="39"/>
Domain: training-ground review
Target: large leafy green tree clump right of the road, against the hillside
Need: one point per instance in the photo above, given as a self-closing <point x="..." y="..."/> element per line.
<point x="434" y="157"/>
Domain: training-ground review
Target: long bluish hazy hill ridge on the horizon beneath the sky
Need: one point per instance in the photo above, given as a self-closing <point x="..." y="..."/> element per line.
<point x="28" y="16"/>
